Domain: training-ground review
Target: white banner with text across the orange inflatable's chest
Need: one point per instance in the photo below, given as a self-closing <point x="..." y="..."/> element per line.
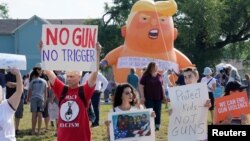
<point x="141" y="62"/>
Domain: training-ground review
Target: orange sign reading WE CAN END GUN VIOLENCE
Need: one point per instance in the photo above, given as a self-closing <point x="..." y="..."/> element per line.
<point x="234" y="104"/>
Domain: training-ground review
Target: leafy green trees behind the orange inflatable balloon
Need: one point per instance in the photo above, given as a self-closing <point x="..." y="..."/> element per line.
<point x="206" y="27"/>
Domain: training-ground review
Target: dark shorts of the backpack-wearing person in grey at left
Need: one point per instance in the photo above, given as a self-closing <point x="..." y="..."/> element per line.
<point x="36" y="105"/>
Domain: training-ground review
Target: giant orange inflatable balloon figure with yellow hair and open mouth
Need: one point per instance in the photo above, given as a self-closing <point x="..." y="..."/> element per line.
<point x="149" y="36"/>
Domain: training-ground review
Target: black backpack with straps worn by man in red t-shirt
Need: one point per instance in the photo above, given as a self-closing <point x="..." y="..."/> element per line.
<point x="90" y="109"/>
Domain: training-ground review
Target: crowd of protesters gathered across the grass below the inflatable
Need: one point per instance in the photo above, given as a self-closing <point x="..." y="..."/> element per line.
<point x="64" y="97"/>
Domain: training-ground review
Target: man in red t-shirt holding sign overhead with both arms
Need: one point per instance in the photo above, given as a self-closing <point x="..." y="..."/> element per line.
<point x="73" y="123"/>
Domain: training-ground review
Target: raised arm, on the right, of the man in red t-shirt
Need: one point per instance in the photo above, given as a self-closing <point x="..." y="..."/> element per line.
<point x="93" y="75"/>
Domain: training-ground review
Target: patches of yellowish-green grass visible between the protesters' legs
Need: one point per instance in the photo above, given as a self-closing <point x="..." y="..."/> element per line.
<point x="98" y="134"/>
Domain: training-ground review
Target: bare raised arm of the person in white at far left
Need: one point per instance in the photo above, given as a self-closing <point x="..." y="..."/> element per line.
<point x="15" y="98"/>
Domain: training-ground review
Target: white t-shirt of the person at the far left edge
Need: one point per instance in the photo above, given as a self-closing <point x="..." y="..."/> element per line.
<point x="7" y="128"/>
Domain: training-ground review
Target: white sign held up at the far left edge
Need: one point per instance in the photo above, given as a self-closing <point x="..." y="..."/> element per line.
<point x="13" y="60"/>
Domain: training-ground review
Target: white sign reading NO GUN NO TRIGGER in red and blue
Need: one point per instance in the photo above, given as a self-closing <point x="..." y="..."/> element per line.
<point x="69" y="47"/>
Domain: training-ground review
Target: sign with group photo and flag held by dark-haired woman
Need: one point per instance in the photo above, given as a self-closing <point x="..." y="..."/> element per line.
<point x="136" y="125"/>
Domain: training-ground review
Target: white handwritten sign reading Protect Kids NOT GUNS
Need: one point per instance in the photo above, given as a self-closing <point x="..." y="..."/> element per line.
<point x="188" y="120"/>
